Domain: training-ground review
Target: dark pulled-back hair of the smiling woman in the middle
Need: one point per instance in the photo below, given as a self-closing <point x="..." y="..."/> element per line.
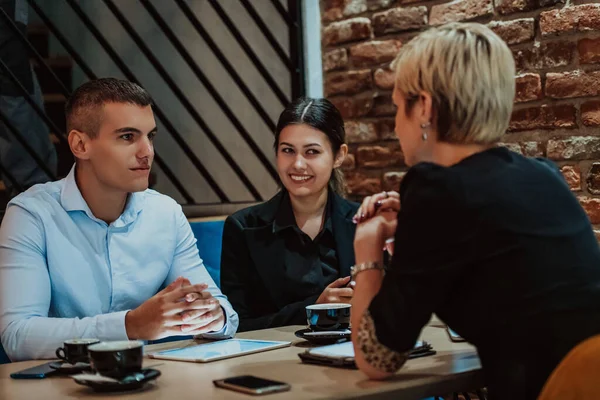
<point x="322" y="115"/>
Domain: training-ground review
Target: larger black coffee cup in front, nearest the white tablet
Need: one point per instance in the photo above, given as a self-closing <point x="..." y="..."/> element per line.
<point x="117" y="359"/>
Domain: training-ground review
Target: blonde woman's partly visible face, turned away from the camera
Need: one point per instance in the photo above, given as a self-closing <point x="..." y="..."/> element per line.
<point x="408" y="130"/>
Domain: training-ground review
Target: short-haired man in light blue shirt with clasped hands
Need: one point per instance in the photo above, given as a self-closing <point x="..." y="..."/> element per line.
<point x="98" y="254"/>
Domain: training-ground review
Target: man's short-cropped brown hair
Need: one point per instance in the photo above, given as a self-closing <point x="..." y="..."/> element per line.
<point x="83" y="110"/>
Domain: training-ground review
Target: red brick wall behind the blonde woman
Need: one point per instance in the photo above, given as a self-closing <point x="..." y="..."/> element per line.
<point x="556" y="45"/>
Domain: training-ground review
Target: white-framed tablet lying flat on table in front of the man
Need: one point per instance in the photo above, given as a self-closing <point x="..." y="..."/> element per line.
<point x="214" y="351"/>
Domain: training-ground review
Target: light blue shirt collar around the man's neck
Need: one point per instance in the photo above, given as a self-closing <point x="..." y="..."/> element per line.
<point x="72" y="200"/>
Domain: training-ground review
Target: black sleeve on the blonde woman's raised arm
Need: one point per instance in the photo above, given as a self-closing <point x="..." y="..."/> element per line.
<point x="434" y="245"/>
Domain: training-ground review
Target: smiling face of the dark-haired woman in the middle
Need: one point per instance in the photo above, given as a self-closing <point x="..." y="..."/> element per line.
<point x="305" y="160"/>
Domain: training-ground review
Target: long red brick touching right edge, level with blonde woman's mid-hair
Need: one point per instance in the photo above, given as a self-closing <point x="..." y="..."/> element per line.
<point x="572" y="84"/>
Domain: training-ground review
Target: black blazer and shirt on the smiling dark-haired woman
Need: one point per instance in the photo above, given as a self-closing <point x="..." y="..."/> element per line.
<point x="271" y="270"/>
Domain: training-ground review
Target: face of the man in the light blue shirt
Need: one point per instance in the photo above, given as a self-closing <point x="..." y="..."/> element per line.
<point x="122" y="152"/>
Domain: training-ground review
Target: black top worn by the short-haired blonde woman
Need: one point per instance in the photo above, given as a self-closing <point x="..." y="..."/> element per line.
<point x="500" y="249"/>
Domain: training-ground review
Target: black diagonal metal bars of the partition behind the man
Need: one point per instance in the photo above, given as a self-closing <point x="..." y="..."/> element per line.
<point x="293" y="63"/>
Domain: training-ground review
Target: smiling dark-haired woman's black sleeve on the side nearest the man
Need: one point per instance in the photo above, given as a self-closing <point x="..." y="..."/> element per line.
<point x="246" y="292"/>
